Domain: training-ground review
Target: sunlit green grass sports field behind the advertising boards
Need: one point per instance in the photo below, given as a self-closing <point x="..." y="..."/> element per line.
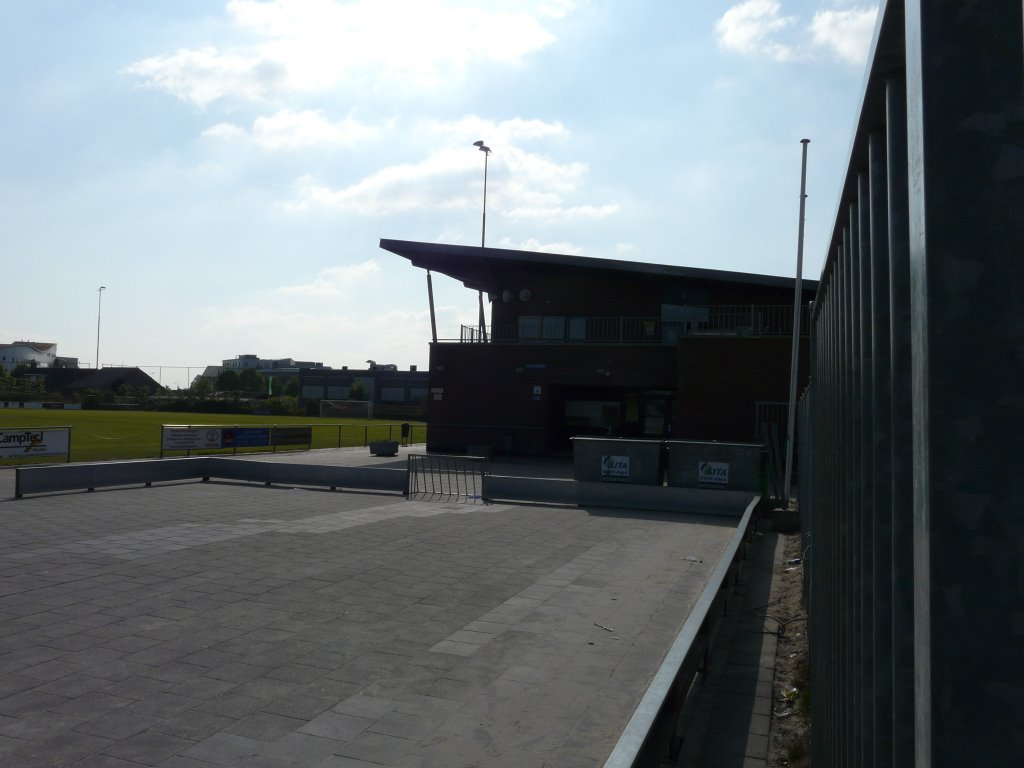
<point x="102" y="436"/>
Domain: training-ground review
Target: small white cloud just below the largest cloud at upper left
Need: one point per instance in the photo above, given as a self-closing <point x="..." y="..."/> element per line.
<point x="295" y="131"/>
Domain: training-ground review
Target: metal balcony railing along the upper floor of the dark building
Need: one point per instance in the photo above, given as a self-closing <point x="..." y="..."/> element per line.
<point x="750" y="320"/>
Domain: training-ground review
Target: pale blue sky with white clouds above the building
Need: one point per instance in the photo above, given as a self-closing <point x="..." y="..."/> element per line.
<point x="227" y="169"/>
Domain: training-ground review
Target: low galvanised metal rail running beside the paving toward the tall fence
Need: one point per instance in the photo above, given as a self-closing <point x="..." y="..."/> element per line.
<point x="678" y="670"/>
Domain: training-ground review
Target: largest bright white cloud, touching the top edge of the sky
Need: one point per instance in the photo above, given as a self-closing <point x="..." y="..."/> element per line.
<point x="323" y="46"/>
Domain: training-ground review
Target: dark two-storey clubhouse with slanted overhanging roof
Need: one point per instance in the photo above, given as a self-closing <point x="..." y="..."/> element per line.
<point x="582" y="347"/>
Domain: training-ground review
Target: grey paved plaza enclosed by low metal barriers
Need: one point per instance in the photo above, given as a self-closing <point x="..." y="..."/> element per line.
<point x="200" y="625"/>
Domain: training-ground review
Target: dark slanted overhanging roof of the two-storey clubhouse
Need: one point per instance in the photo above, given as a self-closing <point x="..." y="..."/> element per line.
<point x="476" y="267"/>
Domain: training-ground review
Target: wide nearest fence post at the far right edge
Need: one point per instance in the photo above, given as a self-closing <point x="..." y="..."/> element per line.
<point x="966" y="142"/>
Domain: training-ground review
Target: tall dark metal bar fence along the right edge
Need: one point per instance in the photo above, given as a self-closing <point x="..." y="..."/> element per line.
<point x="911" y="495"/>
